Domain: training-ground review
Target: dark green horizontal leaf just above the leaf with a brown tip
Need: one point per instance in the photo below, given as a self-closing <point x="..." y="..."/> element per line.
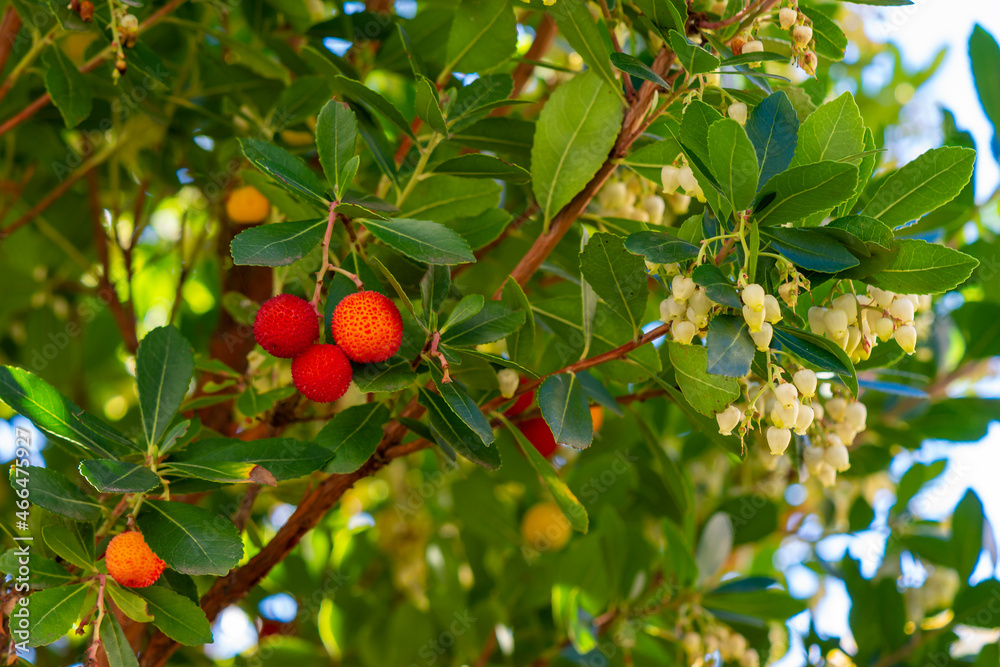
<point x="285" y="458"/>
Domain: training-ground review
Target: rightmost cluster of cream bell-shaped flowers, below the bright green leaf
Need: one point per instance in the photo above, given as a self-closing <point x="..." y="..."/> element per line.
<point x="858" y="323"/>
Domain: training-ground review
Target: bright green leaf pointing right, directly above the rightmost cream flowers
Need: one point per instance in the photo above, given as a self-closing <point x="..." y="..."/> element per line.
<point x="919" y="267"/>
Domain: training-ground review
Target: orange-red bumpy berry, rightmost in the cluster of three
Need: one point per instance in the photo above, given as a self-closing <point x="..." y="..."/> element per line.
<point x="367" y="327"/>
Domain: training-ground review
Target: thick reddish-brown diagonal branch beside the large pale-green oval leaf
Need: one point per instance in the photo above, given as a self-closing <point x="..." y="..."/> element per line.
<point x="563" y="220"/>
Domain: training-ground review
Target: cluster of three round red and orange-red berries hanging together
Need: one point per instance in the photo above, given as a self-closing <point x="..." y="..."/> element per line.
<point x="367" y="328"/>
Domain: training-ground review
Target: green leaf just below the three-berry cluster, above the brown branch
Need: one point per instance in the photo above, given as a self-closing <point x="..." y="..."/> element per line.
<point x="353" y="436"/>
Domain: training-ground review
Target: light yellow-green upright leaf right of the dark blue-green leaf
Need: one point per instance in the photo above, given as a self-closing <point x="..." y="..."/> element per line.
<point x="833" y="132"/>
